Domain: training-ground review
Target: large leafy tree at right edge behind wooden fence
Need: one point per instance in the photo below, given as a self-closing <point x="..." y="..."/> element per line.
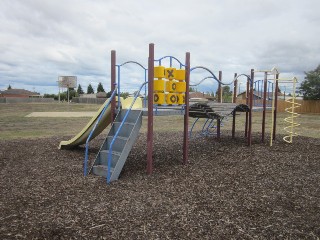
<point x="310" y="87"/>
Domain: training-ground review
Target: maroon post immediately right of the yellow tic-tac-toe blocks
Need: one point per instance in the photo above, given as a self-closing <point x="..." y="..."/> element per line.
<point x="186" y="112"/>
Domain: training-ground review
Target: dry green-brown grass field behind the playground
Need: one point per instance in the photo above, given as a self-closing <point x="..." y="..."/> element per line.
<point x="14" y="124"/>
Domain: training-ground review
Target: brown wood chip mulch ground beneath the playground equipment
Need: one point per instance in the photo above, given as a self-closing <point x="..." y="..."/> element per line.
<point x="227" y="191"/>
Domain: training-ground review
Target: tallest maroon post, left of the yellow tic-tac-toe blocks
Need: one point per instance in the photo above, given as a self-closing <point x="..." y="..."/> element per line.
<point x="150" y="109"/>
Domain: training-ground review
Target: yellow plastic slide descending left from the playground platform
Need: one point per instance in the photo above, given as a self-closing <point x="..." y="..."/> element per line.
<point x="82" y="136"/>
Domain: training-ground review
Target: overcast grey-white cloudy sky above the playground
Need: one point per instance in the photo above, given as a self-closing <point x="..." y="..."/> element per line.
<point x="43" y="39"/>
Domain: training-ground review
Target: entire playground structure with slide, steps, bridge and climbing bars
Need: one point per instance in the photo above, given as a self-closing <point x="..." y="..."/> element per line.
<point x="169" y="88"/>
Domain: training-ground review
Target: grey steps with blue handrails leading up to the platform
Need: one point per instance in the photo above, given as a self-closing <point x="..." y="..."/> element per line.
<point x="122" y="145"/>
